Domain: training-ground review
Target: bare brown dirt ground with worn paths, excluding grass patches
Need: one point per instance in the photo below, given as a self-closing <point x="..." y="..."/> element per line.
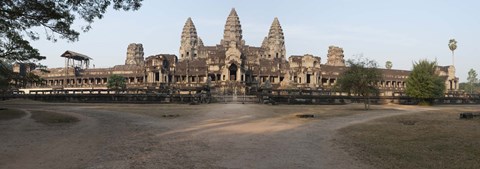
<point x="184" y="136"/>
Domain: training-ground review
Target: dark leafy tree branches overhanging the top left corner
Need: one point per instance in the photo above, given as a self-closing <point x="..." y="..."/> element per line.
<point x="56" y="17"/>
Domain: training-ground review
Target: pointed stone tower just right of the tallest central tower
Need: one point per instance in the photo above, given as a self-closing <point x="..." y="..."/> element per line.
<point x="274" y="43"/>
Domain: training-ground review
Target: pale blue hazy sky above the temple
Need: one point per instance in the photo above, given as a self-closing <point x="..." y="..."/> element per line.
<point x="399" y="31"/>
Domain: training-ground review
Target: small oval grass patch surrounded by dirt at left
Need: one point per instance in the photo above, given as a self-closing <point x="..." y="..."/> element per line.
<point x="46" y="117"/>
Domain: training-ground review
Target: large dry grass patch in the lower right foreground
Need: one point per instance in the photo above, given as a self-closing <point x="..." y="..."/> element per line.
<point x="424" y="140"/>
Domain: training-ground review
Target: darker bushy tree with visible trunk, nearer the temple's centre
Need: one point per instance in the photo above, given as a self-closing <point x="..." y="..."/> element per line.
<point x="360" y="78"/>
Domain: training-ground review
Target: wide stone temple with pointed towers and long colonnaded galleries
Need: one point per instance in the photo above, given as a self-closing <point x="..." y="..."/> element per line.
<point x="231" y="64"/>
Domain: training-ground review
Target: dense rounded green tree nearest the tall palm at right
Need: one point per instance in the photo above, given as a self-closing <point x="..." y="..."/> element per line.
<point x="423" y="83"/>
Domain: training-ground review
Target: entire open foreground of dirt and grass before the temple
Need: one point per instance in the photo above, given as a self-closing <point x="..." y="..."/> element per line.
<point x="65" y="135"/>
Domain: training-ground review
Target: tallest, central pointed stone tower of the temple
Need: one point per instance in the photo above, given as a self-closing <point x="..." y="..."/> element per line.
<point x="233" y="31"/>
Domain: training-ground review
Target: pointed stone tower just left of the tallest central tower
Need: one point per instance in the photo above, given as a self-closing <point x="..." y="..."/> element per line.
<point x="189" y="41"/>
